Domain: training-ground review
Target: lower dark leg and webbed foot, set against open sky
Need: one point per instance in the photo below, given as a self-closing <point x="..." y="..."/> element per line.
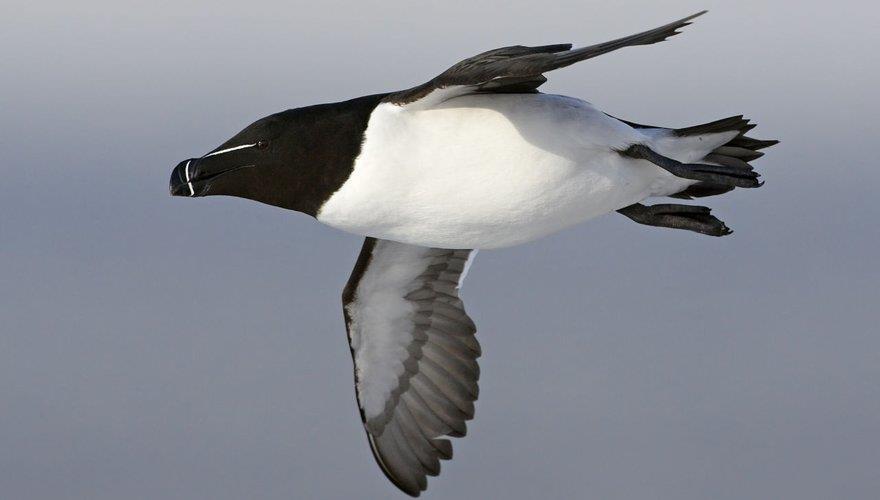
<point x="692" y="218"/>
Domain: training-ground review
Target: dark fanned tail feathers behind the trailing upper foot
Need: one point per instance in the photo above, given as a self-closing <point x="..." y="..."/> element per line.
<point x="738" y="152"/>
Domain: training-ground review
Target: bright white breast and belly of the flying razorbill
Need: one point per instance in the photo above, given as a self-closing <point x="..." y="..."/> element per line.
<point x="488" y="171"/>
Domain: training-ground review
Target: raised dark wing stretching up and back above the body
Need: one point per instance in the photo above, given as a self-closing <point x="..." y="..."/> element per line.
<point x="519" y="68"/>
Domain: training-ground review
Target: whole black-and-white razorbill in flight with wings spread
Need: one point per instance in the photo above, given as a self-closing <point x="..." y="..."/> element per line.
<point x="474" y="158"/>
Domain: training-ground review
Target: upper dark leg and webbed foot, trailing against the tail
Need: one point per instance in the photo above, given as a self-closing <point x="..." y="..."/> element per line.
<point x="718" y="174"/>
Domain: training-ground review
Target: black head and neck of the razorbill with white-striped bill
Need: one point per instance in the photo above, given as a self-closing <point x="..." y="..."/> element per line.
<point x="294" y="159"/>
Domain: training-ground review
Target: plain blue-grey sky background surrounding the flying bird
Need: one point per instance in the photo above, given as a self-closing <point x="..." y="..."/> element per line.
<point x="166" y="348"/>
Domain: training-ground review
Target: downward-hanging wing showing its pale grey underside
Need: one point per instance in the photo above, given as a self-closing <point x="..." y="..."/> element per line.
<point x="414" y="354"/>
